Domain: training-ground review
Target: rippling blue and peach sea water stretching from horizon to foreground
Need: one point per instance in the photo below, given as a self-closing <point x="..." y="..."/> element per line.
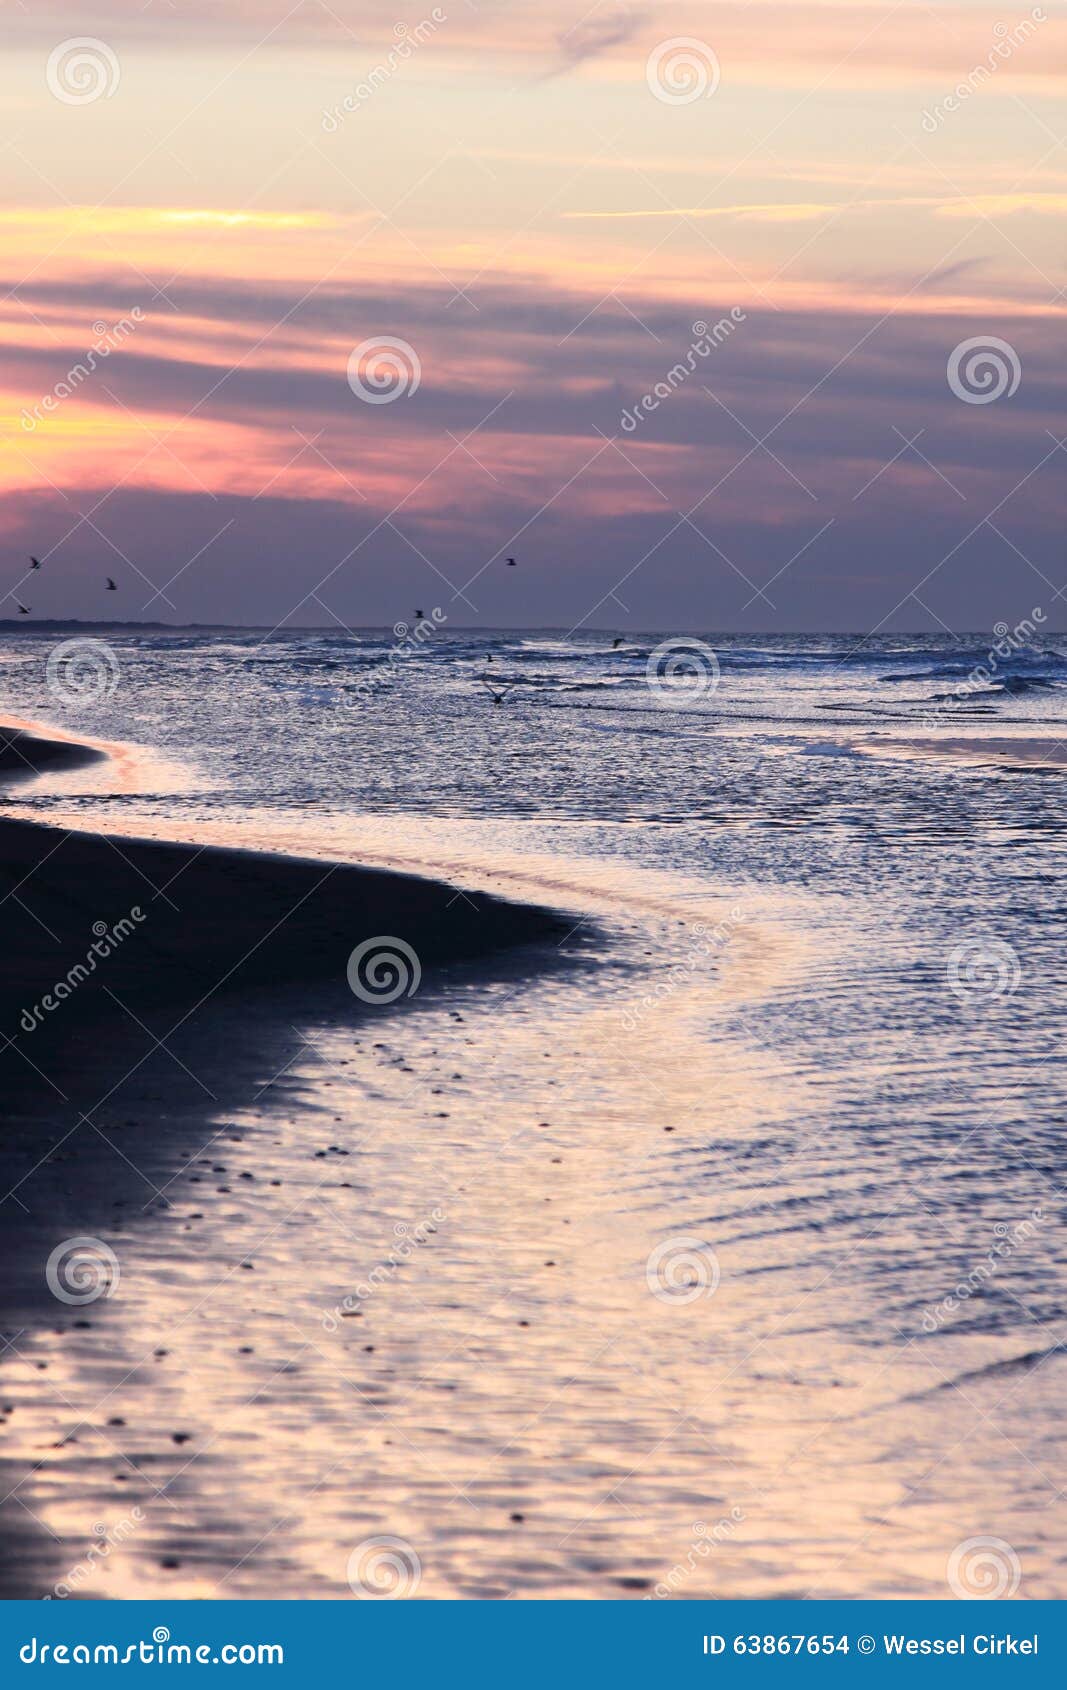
<point x="726" y="1251"/>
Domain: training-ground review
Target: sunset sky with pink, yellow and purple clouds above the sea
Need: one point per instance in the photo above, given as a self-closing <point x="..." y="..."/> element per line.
<point x="714" y="317"/>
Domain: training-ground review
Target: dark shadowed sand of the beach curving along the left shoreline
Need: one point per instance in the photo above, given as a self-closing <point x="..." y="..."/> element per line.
<point x="187" y="1020"/>
